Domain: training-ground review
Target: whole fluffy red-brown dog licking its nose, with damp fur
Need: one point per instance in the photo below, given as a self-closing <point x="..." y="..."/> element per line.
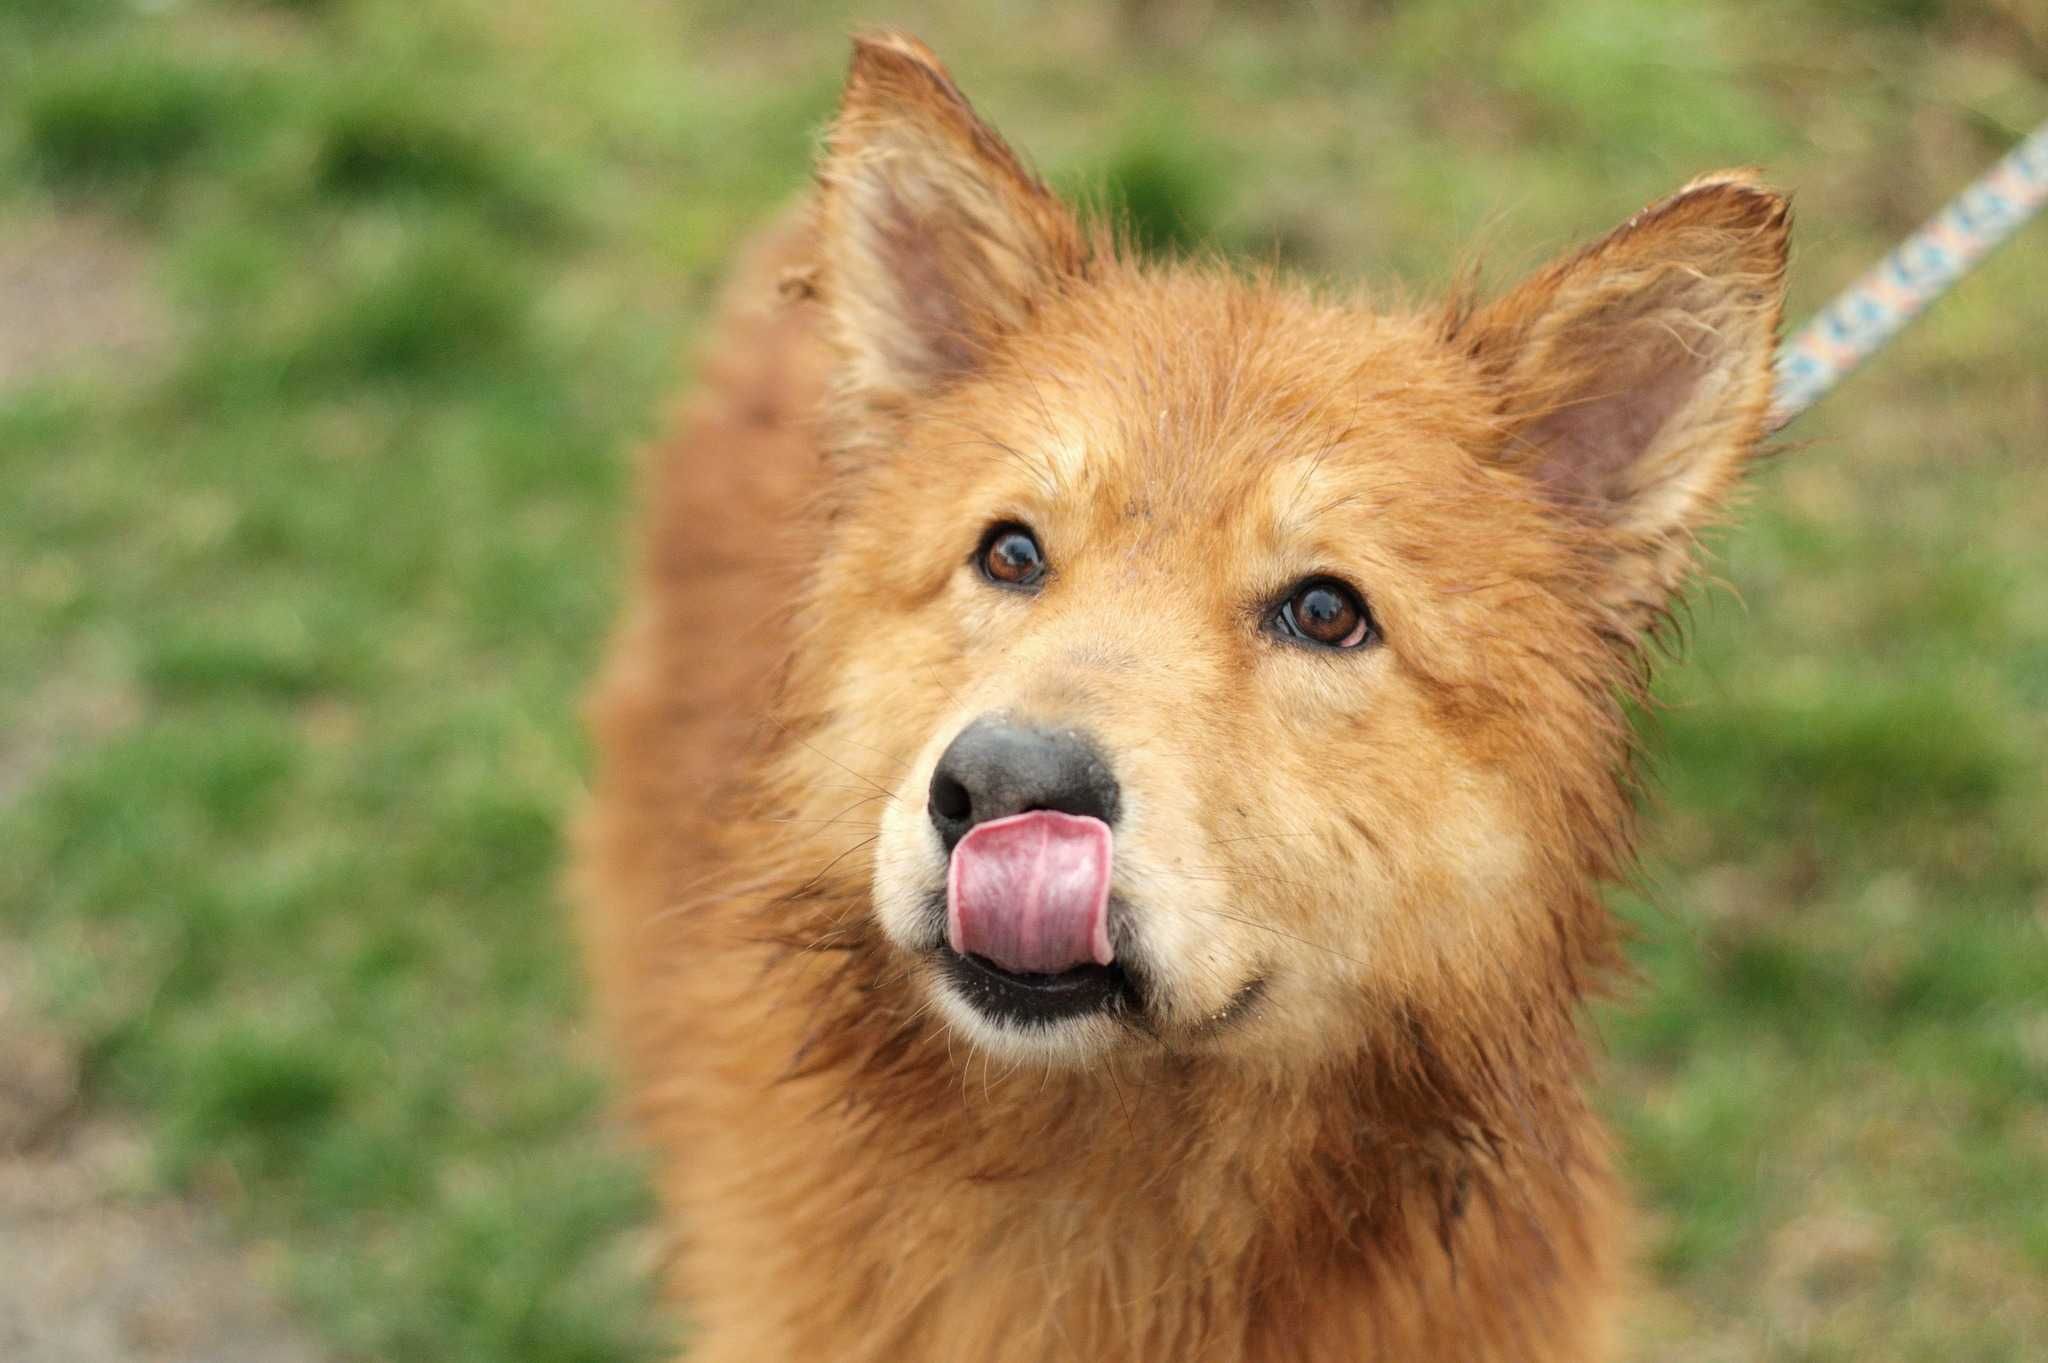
<point x="1109" y="771"/>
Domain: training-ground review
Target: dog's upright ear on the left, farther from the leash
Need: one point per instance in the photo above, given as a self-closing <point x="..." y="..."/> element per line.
<point x="935" y="240"/>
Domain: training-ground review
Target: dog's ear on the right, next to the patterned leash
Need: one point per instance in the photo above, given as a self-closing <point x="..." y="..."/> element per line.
<point x="1635" y="378"/>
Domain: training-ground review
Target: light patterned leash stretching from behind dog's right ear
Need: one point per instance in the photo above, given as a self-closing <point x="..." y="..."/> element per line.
<point x="1891" y="294"/>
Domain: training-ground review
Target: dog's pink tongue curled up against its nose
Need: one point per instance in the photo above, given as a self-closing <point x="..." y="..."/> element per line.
<point x="1033" y="893"/>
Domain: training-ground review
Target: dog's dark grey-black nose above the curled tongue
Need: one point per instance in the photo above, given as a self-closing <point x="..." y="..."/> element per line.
<point x="1000" y="768"/>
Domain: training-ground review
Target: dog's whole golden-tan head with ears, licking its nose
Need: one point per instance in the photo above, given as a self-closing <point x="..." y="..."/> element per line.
<point x="1256" y="662"/>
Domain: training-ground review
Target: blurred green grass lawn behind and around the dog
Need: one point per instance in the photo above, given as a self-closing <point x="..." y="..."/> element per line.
<point x="298" y="590"/>
